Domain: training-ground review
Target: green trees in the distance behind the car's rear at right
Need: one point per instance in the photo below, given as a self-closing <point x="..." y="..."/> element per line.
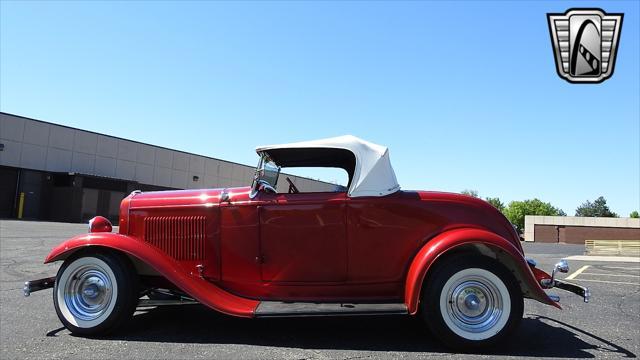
<point x="515" y="211"/>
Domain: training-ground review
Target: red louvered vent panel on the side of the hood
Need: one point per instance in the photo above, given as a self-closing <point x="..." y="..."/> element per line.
<point x="181" y="237"/>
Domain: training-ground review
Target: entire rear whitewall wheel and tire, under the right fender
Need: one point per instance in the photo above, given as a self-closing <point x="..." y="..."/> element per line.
<point x="471" y="302"/>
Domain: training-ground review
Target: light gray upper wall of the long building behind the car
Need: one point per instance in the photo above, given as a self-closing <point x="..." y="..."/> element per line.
<point x="38" y="145"/>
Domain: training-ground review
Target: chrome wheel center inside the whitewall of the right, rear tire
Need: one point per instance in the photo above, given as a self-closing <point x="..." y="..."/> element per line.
<point x="474" y="304"/>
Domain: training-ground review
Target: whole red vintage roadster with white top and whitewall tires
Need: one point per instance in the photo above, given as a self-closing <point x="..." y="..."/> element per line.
<point x="365" y="249"/>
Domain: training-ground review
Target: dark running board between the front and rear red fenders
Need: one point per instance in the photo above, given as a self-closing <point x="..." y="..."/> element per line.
<point x="291" y="309"/>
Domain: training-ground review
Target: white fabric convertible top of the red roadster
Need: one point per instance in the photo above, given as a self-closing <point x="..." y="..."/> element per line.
<point x="371" y="175"/>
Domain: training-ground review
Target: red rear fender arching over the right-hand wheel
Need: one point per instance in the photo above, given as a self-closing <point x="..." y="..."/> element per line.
<point x="453" y="239"/>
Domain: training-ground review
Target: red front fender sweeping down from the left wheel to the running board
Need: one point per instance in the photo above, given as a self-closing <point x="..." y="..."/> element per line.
<point x="192" y="284"/>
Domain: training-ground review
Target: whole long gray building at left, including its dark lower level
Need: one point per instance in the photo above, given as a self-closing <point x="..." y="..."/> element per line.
<point x="55" y="172"/>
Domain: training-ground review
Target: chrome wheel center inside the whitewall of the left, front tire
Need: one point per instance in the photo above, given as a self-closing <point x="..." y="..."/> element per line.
<point x="88" y="292"/>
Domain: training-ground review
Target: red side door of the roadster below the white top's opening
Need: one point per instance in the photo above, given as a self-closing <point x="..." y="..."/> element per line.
<point x="303" y="238"/>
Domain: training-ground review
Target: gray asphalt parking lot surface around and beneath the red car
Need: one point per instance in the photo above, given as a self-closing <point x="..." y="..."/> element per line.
<point x="607" y="327"/>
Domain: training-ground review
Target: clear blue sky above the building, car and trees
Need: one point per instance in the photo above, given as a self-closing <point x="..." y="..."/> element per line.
<point x="465" y="94"/>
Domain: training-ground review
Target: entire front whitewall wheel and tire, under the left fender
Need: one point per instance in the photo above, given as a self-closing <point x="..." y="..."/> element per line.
<point x="95" y="293"/>
